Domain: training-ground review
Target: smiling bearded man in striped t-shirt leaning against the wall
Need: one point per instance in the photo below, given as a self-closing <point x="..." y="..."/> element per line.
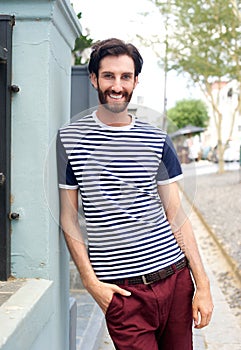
<point x="139" y="239"/>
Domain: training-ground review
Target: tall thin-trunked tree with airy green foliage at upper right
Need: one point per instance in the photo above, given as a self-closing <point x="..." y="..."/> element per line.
<point x="204" y="41"/>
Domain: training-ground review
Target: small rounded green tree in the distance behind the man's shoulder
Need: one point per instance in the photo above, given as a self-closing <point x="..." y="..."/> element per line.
<point x="188" y="112"/>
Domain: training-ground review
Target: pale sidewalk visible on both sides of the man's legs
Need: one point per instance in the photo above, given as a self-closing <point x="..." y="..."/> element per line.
<point x="223" y="333"/>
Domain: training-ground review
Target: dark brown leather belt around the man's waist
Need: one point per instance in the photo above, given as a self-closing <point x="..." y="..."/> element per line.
<point x="152" y="277"/>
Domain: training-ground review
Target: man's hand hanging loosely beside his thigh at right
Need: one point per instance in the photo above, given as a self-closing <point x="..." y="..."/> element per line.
<point x="202" y="307"/>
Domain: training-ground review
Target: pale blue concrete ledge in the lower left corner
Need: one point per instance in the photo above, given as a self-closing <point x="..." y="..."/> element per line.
<point x="25" y="313"/>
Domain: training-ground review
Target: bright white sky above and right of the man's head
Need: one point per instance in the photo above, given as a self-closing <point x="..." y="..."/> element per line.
<point x="107" y="18"/>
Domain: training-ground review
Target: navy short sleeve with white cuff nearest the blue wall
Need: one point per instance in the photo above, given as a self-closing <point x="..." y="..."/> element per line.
<point x="66" y="177"/>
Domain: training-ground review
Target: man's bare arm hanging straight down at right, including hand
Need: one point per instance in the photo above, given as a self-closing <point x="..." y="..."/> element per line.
<point x="182" y="229"/>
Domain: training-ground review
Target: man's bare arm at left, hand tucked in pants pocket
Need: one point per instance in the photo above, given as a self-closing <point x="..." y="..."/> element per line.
<point x="101" y="292"/>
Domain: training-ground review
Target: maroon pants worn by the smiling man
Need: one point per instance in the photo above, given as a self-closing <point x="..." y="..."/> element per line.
<point x="155" y="316"/>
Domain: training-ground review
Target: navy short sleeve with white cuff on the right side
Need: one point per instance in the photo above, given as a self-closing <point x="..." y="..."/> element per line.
<point x="170" y="168"/>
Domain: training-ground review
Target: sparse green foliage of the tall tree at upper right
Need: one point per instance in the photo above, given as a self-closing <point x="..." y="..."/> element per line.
<point x="204" y="38"/>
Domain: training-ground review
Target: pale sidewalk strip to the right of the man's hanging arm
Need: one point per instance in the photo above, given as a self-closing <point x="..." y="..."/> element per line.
<point x="224" y="331"/>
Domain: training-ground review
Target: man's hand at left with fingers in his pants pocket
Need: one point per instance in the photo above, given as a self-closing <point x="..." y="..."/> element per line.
<point x="103" y="293"/>
